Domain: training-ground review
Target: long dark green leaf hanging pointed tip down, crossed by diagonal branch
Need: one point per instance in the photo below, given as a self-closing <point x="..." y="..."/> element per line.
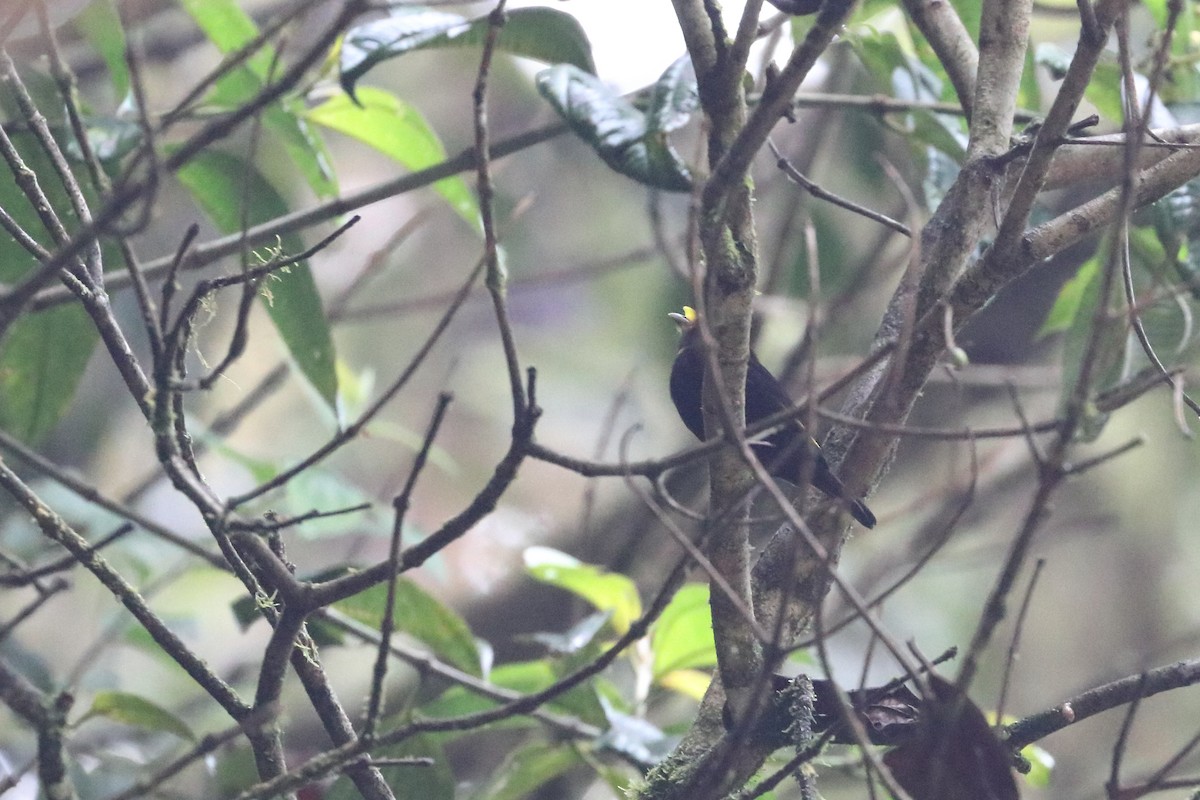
<point x="223" y="184"/>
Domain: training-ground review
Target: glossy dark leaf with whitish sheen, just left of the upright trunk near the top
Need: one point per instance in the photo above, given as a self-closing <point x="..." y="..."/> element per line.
<point x="620" y="134"/>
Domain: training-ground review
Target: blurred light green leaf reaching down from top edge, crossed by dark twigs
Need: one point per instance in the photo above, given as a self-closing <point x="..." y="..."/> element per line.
<point x="230" y="28"/>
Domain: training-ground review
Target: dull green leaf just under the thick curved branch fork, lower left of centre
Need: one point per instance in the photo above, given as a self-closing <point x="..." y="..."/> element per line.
<point x="421" y="616"/>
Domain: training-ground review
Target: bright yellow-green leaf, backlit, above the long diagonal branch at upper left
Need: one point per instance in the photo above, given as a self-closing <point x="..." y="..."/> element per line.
<point x="395" y="129"/>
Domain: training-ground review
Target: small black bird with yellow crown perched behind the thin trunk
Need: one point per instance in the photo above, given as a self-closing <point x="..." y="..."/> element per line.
<point x="764" y="396"/>
